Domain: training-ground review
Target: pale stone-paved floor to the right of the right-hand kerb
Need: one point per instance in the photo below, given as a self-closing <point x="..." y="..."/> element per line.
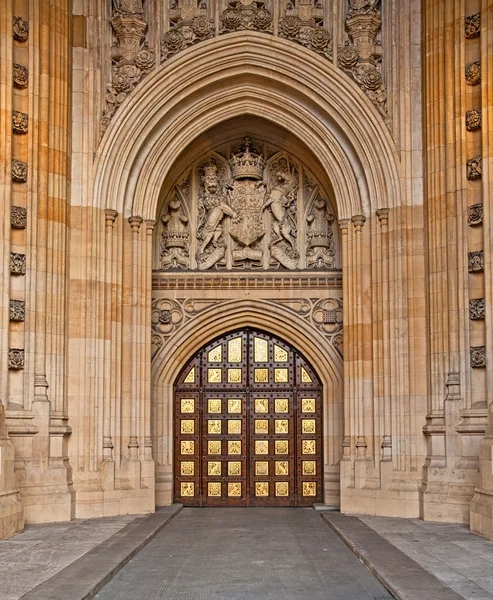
<point x="459" y="558"/>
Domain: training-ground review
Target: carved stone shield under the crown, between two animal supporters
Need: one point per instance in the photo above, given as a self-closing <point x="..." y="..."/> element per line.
<point x="247" y="199"/>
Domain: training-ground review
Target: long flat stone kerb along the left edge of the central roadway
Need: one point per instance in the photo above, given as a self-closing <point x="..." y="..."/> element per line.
<point x="84" y="578"/>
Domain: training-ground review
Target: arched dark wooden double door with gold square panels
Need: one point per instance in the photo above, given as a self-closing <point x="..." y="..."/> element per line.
<point x="248" y="425"/>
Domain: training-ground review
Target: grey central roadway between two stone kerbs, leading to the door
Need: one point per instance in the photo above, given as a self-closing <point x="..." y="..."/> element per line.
<point x="245" y="554"/>
